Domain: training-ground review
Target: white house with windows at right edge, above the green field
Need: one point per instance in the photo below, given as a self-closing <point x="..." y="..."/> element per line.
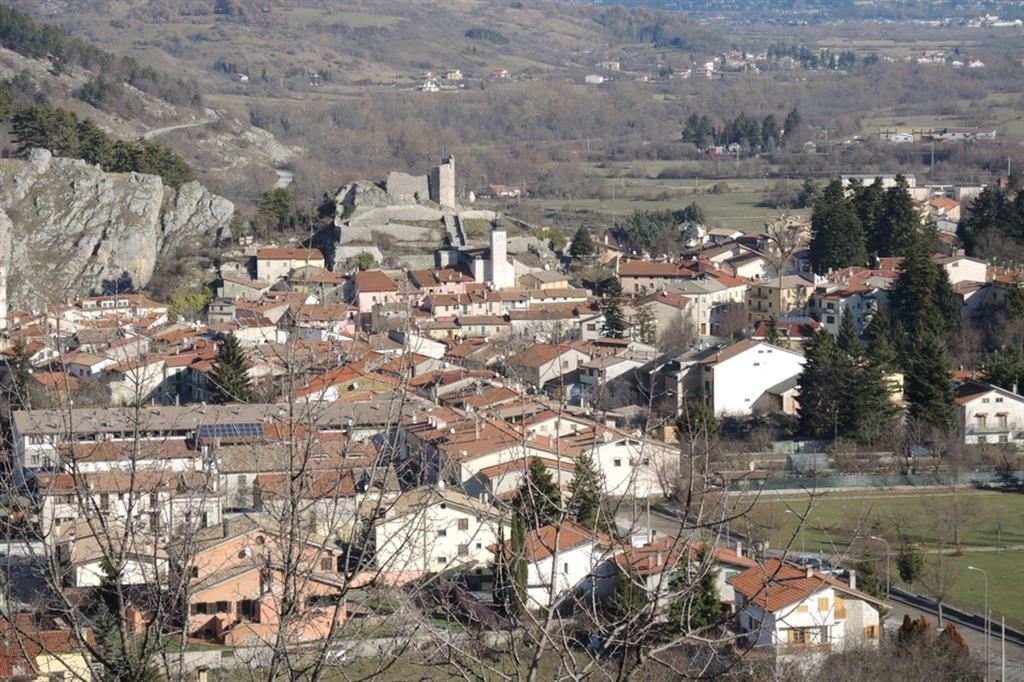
<point x="990" y="414"/>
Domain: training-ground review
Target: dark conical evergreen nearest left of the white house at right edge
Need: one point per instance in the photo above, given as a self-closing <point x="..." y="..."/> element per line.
<point x="928" y="388"/>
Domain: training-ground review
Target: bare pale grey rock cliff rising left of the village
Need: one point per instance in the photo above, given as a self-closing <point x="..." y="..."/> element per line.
<point x="77" y="230"/>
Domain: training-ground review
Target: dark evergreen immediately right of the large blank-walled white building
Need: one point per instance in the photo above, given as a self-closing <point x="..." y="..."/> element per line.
<point x="819" y="409"/>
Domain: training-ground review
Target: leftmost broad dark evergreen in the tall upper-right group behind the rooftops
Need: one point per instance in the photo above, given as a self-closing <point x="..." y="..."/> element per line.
<point x="837" y="237"/>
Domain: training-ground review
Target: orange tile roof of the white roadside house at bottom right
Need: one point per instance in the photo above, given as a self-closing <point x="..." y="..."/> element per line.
<point x="776" y="585"/>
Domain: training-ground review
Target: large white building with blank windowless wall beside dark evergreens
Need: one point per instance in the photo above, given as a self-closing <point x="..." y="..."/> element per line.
<point x="735" y="379"/>
